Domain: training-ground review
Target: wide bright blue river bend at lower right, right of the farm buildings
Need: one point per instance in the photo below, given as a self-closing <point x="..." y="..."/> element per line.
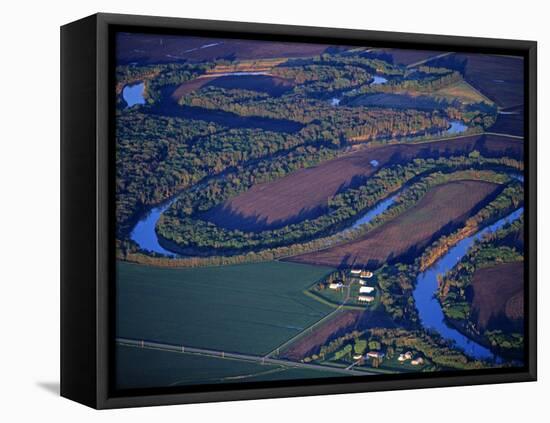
<point x="429" y="308"/>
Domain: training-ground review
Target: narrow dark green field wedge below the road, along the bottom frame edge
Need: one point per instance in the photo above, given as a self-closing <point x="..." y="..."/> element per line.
<point x="144" y="368"/>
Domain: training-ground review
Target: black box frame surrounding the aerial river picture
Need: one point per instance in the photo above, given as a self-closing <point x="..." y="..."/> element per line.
<point x="87" y="210"/>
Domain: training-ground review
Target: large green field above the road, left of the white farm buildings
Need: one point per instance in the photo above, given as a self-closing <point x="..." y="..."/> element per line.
<point x="248" y="308"/>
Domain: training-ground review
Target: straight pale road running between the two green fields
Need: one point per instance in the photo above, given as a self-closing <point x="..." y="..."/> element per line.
<point x="246" y="357"/>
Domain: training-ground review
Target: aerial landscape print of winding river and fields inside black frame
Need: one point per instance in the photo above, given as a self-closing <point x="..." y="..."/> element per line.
<point x="291" y="211"/>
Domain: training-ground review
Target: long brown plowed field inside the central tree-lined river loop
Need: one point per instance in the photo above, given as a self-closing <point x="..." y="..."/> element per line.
<point x="304" y="194"/>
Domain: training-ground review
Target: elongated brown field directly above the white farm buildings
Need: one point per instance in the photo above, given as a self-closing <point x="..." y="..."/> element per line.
<point x="442" y="208"/>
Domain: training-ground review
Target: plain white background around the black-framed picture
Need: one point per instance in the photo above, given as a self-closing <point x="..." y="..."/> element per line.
<point x="29" y="212"/>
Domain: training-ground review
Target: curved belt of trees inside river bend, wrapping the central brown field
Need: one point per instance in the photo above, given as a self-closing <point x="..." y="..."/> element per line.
<point x="183" y="225"/>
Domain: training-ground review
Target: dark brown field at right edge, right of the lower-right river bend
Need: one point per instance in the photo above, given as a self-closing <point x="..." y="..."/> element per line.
<point x="498" y="295"/>
